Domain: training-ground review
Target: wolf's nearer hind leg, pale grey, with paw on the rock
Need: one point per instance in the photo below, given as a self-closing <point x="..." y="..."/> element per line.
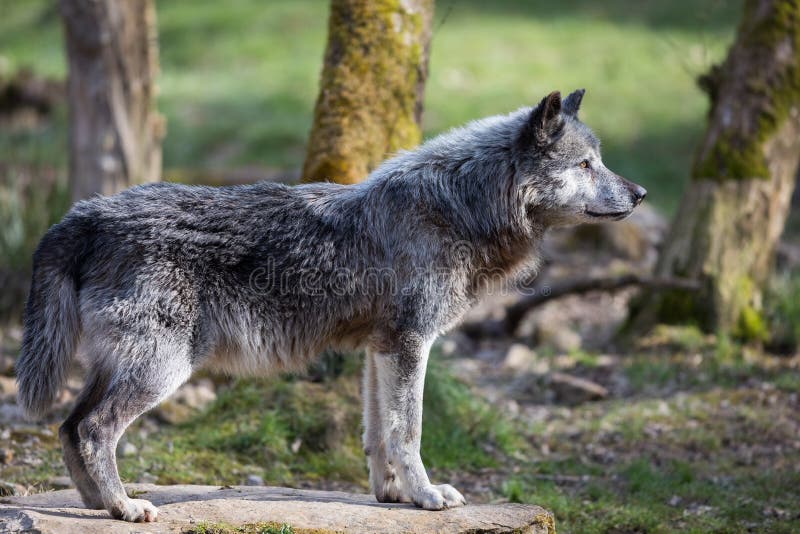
<point x="142" y="380"/>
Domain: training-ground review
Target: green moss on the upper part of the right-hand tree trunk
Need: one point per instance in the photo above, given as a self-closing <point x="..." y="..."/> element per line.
<point x="738" y="154"/>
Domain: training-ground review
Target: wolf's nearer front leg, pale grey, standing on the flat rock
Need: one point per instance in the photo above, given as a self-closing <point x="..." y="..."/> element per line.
<point x="400" y="379"/>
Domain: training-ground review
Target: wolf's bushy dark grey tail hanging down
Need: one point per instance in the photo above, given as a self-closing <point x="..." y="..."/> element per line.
<point x="51" y="321"/>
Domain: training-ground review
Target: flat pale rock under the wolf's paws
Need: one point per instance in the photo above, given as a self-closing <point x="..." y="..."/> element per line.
<point x="183" y="507"/>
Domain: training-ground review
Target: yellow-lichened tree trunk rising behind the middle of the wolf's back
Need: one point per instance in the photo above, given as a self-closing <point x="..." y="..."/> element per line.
<point x="371" y="89"/>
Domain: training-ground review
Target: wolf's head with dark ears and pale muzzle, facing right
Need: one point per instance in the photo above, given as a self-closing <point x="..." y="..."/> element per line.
<point x="560" y="170"/>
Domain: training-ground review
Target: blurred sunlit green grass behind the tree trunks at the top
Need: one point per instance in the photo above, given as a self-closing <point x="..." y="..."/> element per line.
<point x="238" y="79"/>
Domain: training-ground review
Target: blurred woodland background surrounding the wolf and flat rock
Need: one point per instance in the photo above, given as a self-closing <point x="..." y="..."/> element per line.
<point x="617" y="418"/>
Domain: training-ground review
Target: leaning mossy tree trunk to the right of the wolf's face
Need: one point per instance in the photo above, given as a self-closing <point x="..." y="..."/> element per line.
<point x="734" y="209"/>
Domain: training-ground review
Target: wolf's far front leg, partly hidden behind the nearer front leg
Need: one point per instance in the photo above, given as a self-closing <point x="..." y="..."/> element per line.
<point x="383" y="481"/>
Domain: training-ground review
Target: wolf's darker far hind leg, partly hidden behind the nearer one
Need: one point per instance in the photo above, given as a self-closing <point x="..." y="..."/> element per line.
<point x="93" y="391"/>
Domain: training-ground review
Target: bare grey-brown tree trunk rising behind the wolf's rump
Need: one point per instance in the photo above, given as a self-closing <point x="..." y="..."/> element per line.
<point x="115" y="132"/>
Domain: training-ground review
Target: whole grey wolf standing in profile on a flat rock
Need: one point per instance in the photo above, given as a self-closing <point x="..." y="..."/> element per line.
<point x="146" y="286"/>
